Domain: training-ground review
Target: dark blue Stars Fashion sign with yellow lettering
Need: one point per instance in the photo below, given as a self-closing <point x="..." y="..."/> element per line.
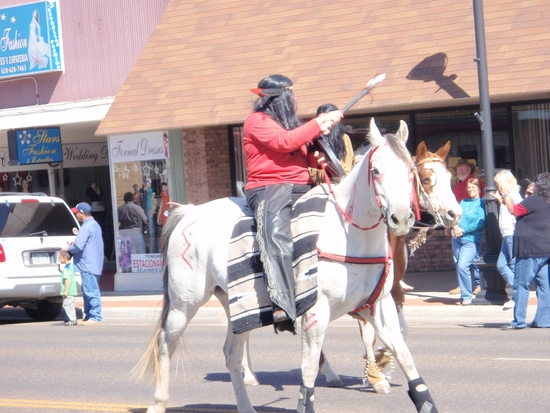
<point x="32" y="146"/>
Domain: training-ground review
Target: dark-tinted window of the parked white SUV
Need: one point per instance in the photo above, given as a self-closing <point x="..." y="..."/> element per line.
<point x="35" y="219"/>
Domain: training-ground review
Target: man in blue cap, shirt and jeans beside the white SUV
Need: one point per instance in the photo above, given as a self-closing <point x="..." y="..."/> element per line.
<point x="87" y="250"/>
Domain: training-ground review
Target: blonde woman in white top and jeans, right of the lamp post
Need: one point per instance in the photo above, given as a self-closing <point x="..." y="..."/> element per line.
<point x="507" y="186"/>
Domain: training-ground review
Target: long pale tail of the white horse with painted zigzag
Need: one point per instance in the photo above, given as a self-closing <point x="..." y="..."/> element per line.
<point x="148" y="364"/>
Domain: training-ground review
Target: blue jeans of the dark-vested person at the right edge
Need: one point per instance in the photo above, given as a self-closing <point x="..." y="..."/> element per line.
<point x="527" y="270"/>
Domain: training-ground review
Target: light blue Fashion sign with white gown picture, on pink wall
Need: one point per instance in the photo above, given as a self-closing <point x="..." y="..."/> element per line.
<point x="30" y="41"/>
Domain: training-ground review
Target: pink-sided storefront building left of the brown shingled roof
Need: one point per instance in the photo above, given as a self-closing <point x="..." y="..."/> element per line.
<point x="61" y="64"/>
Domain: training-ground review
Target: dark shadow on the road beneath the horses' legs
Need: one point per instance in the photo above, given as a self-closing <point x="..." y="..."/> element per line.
<point x="278" y="380"/>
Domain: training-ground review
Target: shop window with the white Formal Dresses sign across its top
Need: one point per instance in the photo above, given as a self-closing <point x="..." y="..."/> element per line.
<point x="141" y="195"/>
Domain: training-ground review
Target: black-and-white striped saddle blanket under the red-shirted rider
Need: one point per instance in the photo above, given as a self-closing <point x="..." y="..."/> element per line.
<point x="249" y="303"/>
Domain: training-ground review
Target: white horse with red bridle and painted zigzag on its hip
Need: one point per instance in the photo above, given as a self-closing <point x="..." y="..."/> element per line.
<point x="195" y="247"/>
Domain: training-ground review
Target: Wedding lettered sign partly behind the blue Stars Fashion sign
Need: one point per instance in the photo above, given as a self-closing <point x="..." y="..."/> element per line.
<point x="75" y="155"/>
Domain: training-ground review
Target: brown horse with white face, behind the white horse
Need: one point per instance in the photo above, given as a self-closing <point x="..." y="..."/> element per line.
<point x="433" y="190"/>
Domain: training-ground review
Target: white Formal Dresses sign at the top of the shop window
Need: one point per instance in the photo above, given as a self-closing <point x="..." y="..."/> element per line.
<point x="138" y="146"/>
